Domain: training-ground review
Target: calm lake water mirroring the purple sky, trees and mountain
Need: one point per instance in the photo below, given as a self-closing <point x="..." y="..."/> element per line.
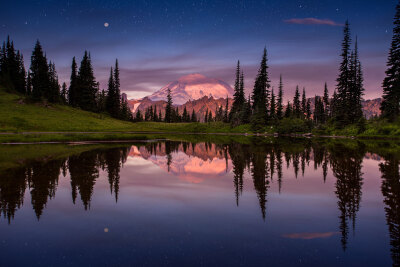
<point x="260" y="202"/>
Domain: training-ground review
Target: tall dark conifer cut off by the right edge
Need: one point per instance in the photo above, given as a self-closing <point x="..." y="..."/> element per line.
<point x="391" y="84"/>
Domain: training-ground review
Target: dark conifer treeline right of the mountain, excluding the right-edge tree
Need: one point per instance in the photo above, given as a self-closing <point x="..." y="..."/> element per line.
<point x="266" y="109"/>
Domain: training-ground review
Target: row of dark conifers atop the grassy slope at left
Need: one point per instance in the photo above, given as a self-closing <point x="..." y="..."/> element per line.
<point x="41" y="82"/>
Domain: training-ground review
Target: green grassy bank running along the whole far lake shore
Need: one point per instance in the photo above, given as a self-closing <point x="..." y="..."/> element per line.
<point x="22" y="121"/>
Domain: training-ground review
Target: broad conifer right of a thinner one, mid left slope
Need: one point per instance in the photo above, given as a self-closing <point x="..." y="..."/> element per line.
<point x="86" y="85"/>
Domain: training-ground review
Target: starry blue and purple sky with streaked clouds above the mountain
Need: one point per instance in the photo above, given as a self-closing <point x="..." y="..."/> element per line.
<point x="159" y="41"/>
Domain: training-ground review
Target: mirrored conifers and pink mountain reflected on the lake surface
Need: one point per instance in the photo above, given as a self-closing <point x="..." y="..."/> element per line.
<point x="264" y="160"/>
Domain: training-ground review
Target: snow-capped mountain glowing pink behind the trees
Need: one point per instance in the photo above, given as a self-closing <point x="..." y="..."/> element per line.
<point x="192" y="87"/>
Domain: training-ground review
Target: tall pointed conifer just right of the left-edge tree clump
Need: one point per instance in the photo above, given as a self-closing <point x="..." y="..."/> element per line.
<point x="39" y="73"/>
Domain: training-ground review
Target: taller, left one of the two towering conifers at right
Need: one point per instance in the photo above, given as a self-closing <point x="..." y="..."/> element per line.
<point x="343" y="108"/>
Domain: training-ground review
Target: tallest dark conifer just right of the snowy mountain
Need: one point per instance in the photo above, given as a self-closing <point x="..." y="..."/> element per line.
<point x="260" y="94"/>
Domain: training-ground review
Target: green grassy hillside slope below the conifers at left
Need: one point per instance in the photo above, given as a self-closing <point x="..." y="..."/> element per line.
<point x="18" y="115"/>
